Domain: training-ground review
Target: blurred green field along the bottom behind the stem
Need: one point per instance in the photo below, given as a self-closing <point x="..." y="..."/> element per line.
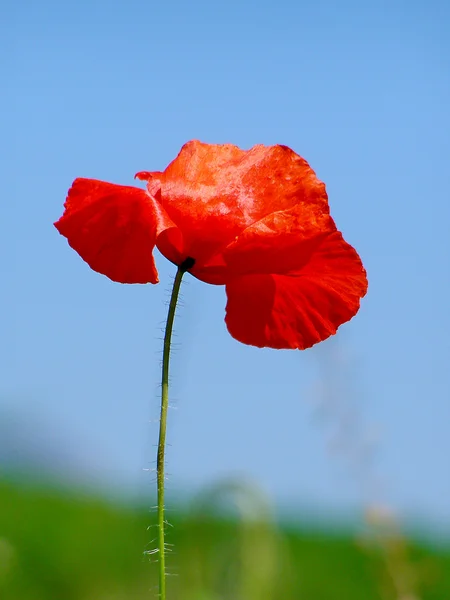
<point x="56" y="545"/>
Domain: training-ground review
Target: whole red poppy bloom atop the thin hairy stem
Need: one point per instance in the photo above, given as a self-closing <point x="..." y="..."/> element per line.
<point x="256" y="221"/>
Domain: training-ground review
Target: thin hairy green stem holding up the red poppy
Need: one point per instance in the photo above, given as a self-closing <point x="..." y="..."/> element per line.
<point x="160" y="476"/>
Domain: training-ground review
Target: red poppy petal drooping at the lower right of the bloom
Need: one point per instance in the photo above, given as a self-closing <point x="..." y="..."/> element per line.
<point x="300" y="308"/>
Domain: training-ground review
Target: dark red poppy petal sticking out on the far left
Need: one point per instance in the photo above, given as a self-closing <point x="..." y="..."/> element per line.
<point x="113" y="228"/>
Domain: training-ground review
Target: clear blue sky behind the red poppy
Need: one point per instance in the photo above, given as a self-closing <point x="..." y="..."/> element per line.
<point x="104" y="89"/>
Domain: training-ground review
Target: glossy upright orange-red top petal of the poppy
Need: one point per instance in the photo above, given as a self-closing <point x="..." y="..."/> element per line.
<point x="213" y="192"/>
